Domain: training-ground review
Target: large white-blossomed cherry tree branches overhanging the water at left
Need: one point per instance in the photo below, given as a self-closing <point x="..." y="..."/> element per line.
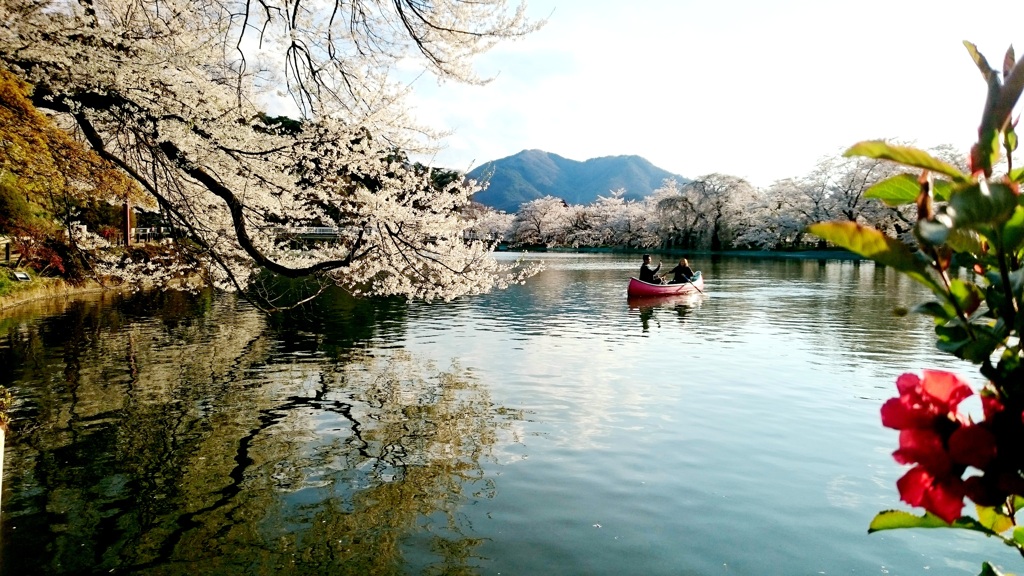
<point x="175" y="94"/>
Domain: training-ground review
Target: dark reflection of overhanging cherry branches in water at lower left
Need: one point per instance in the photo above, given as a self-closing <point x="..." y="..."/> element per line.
<point x="193" y="447"/>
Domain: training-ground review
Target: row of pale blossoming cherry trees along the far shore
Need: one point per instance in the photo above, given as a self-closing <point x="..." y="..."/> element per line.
<point x="715" y="212"/>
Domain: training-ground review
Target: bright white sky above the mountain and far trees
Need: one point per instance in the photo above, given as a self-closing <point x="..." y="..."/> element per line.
<point x="760" y="90"/>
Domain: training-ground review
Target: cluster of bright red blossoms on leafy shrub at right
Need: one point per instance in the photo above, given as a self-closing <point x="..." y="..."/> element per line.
<point x="926" y="416"/>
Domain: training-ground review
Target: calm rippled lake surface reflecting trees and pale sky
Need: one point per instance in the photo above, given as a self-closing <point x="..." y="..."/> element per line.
<point x="554" y="428"/>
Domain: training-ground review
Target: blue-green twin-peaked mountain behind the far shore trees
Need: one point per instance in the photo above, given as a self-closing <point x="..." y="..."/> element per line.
<point x="535" y="174"/>
